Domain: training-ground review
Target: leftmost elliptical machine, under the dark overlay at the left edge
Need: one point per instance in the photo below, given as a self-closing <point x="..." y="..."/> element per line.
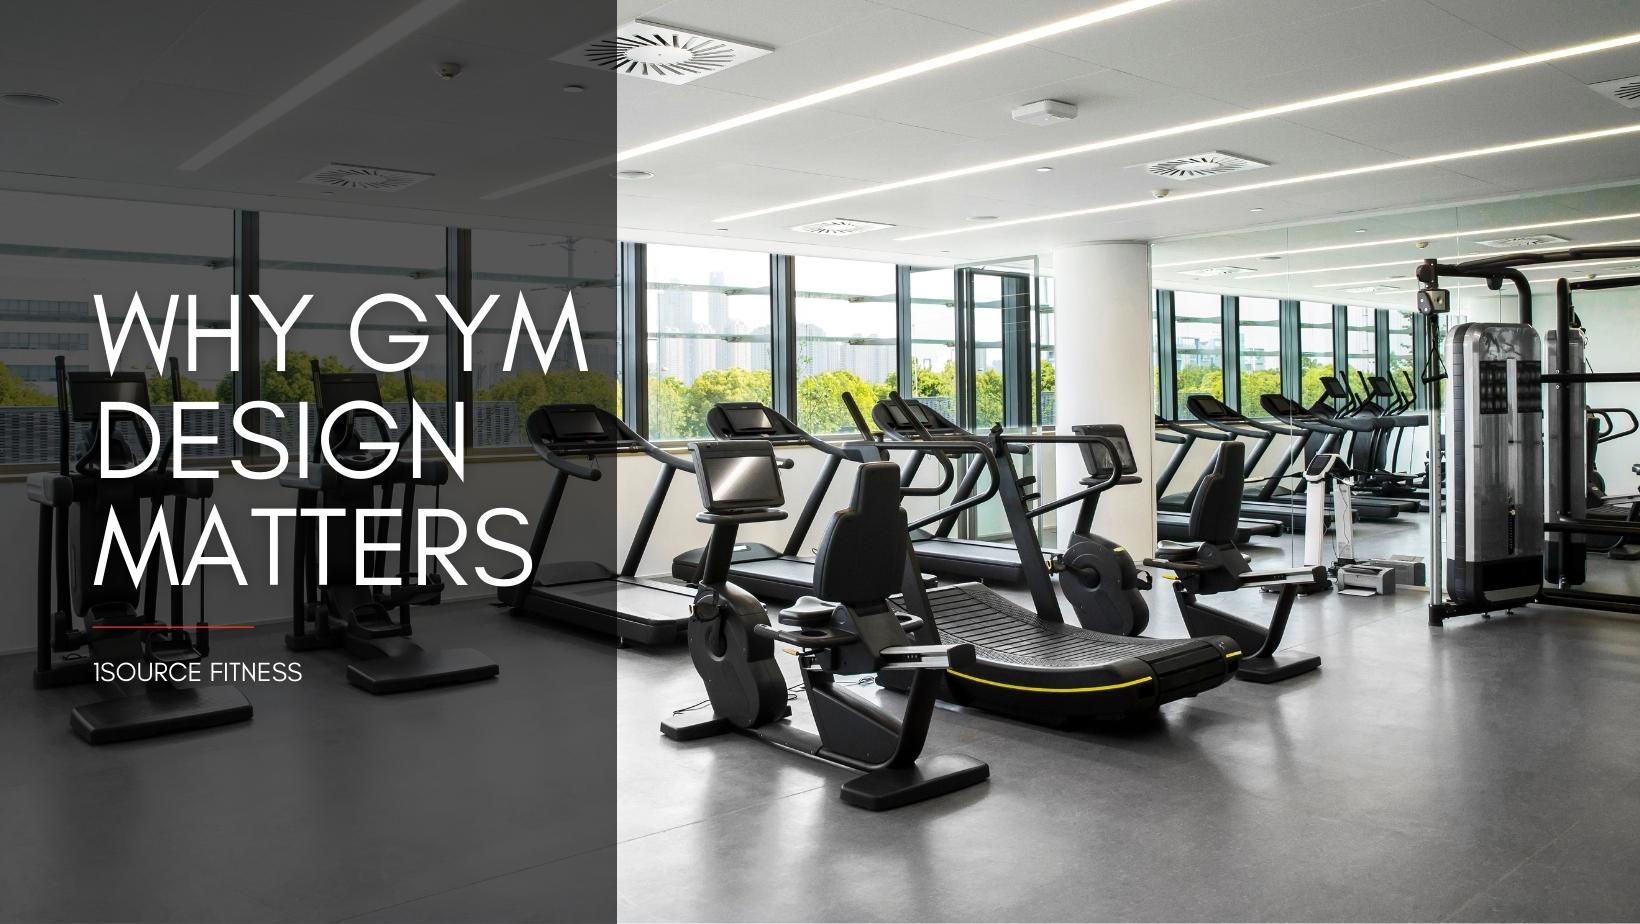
<point x="76" y="505"/>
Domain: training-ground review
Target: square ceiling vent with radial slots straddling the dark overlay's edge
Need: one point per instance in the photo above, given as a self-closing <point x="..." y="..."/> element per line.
<point x="662" y="53"/>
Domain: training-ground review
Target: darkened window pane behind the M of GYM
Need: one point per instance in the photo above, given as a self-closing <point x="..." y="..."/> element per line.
<point x="544" y="270"/>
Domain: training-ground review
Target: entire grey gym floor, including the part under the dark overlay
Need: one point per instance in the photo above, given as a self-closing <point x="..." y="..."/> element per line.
<point x="1487" y="771"/>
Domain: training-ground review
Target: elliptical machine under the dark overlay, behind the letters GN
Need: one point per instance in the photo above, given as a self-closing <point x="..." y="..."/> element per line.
<point x="340" y="613"/>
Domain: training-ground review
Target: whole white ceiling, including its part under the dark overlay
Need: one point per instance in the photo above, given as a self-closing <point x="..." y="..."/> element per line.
<point x="155" y="83"/>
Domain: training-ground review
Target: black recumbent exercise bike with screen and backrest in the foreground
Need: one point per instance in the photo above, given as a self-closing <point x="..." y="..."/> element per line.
<point x="860" y="564"/>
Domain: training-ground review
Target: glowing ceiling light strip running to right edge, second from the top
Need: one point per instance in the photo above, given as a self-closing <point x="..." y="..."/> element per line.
<point x="1218" y="122"/>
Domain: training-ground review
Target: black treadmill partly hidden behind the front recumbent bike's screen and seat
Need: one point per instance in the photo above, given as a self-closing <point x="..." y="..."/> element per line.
<point x="765" y="572"/>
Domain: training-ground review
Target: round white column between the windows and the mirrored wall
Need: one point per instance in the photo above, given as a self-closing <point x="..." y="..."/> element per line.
<point x="1103" y="377"/>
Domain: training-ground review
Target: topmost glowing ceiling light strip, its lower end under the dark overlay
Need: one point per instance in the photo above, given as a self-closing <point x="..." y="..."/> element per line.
<point x="1083" y="21"/>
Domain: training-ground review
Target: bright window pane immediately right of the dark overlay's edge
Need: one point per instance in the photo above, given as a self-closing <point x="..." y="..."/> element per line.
<point x="709" y="336"/>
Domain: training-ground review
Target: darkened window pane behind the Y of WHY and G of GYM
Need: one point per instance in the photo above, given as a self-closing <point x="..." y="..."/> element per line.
<point x="344" y="263"/>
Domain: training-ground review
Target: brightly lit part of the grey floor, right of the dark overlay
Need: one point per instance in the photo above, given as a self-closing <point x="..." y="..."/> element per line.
<point x="1482" y="772"/>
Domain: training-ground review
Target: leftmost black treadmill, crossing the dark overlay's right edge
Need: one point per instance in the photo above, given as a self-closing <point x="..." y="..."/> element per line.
<point x="650" y="611"/>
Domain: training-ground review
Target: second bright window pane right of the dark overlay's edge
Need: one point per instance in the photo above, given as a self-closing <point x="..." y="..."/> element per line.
<point x="845" y="339"/>
